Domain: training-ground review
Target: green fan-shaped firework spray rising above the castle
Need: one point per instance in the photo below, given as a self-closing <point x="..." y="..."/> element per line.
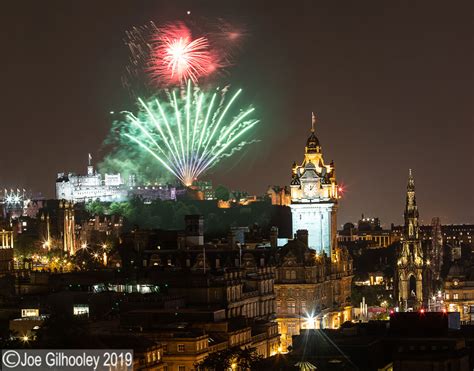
<point x="189" y="134"/>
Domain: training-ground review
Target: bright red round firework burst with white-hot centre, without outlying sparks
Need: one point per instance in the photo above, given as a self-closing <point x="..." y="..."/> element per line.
<point x="177" y="57"/>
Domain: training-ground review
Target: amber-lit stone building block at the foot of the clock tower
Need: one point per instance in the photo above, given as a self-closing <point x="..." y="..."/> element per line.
<point x="312" y="291"/>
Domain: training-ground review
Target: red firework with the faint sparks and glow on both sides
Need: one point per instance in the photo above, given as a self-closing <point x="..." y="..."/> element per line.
<point x="172" y="54"/>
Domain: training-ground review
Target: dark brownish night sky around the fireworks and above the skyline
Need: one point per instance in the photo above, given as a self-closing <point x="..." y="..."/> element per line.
<point x="392" y="85"/>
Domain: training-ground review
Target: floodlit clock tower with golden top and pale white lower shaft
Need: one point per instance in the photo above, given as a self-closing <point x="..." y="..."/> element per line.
<point x="314" y="195"/>
